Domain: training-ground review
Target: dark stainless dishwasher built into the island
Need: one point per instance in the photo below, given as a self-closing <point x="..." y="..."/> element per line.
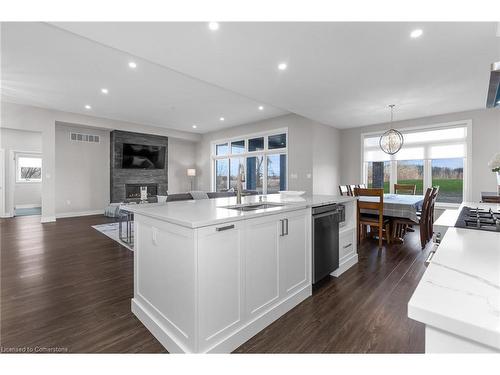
<point x="325" y="241"/>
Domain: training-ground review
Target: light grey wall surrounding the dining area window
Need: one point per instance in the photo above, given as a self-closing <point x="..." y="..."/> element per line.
<point x="485" y="142"/>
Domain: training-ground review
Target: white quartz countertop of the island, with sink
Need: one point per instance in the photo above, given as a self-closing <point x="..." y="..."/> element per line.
<point x="204" y="212"/>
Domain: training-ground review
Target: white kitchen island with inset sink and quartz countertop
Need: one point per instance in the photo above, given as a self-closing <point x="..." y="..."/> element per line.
<point x="208" y="278"/>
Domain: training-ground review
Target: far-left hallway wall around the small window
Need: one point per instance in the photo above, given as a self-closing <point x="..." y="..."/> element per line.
<point x="23" y="194"/>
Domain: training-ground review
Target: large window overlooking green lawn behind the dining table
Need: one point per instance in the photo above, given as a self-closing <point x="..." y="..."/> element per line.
<point x="434" y="156"/>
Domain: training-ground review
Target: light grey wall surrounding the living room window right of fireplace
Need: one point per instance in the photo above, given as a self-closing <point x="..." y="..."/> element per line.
<point x="302" y="152"/>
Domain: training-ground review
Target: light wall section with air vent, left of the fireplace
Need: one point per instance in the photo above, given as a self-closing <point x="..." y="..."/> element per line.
<point x="82" y="172"/>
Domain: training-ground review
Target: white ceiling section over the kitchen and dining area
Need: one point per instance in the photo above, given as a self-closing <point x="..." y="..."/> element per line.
<point x="342" y="74"/>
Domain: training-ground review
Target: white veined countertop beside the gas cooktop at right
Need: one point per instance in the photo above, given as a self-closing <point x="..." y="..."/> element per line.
<point x="460" y="290"/>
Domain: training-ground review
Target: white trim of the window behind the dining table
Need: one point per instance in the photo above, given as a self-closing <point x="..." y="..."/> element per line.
<point x="467" y="190"/>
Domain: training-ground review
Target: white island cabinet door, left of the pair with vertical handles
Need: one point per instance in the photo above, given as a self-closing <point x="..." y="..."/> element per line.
<point x="261" y="263"/>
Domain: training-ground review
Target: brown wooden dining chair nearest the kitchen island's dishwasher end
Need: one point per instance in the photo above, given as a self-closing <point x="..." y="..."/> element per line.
<point x="375" y="220"/>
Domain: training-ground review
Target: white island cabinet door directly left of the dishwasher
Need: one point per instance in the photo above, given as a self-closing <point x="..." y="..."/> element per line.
<point x="294" y="253"/>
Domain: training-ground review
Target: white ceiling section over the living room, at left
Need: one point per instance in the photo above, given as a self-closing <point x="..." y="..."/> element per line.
<point x="48" y="67"/>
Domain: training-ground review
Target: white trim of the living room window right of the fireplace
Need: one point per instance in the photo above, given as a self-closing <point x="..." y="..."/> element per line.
<point x="244" y="155"/>
